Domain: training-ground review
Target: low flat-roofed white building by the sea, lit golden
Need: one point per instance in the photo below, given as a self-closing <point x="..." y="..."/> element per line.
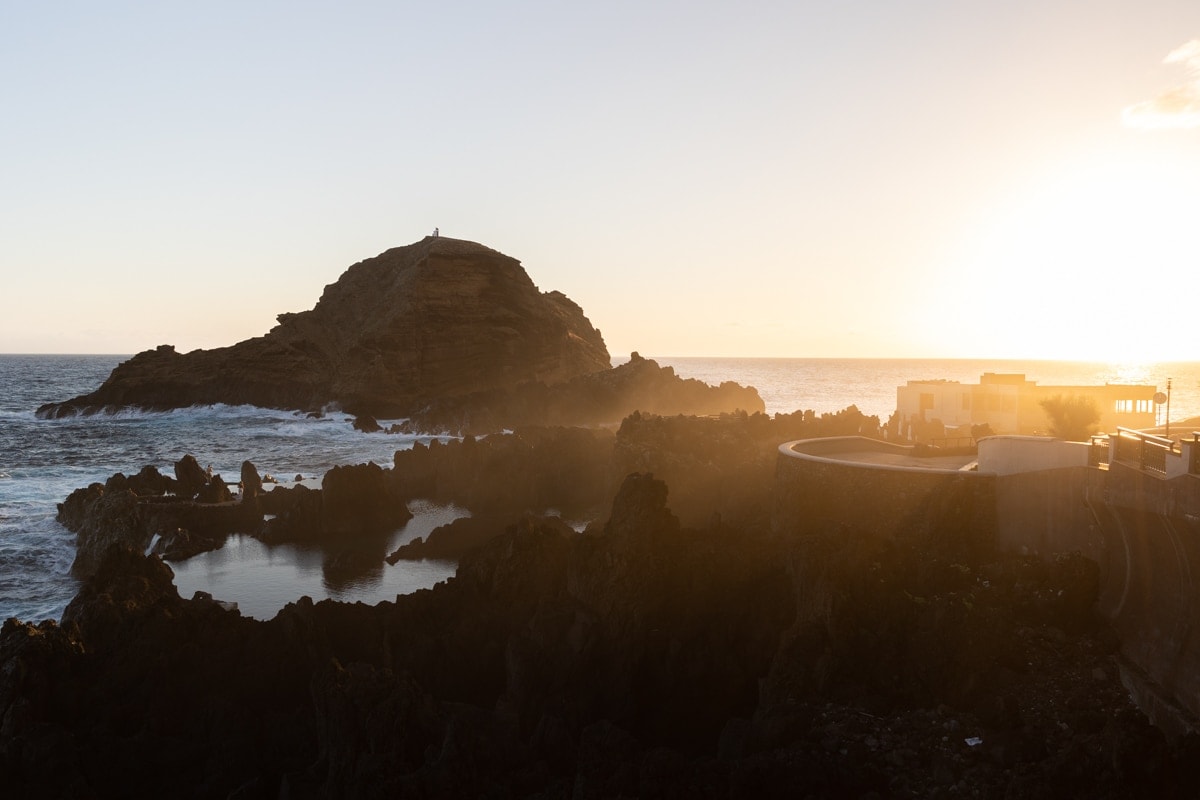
<point x="1009" y="404"/>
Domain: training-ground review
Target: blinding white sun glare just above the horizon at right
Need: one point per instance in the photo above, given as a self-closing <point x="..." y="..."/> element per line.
<point x="1097" y="263"/>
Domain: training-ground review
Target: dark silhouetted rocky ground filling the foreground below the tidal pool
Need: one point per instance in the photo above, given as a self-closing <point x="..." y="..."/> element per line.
<point x="644" y="659"/>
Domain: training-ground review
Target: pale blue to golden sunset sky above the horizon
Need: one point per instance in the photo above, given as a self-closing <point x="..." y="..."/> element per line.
<point x="862" y="179"/>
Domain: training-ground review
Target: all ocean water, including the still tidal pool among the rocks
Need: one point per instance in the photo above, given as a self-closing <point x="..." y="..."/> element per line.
<point x="43" y="461"/>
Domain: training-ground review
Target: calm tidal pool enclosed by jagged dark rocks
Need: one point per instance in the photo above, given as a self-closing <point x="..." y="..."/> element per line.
<point x="263" y="579"/>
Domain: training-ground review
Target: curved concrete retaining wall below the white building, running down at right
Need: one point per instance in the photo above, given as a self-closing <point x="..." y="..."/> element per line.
<point x="1142" y="530"/>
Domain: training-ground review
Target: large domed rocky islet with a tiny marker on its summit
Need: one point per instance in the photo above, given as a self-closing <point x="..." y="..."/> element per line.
<point x="435" y="320"/>
